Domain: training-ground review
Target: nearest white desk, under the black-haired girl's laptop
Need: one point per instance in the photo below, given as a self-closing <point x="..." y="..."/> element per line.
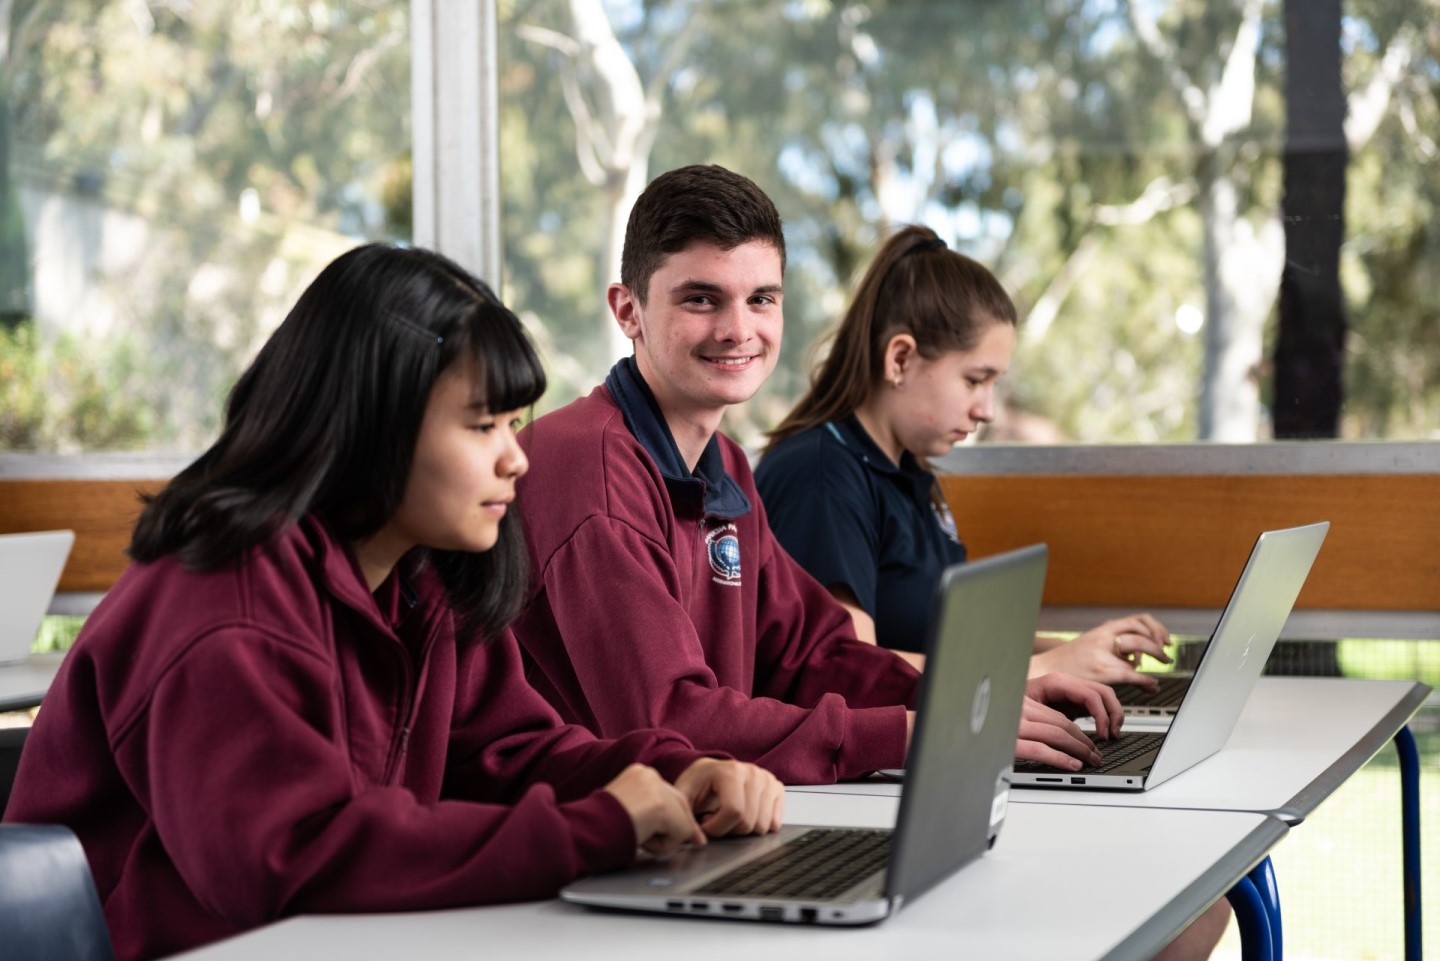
<point x="1050" y="857"/>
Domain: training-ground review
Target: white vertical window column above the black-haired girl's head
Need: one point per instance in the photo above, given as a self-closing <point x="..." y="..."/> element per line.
<point x="454" y="79"/>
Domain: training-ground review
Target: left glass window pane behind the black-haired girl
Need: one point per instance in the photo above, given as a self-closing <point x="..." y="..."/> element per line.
<point x="172" y="175"/>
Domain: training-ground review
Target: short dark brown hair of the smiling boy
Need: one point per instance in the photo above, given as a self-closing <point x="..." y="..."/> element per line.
<point x="695" y="204"/>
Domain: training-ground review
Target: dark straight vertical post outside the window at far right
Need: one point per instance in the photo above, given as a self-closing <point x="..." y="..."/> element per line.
<point x="1310" y="354"/>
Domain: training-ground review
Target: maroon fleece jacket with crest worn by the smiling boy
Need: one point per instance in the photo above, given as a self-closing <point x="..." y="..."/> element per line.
<point x="643" y="617"/>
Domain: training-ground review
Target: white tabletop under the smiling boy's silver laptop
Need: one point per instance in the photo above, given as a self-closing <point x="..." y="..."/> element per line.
<point x="1295" y="743"/>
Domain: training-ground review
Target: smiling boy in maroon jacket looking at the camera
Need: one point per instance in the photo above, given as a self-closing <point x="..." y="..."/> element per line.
<point x="660" y="594"/>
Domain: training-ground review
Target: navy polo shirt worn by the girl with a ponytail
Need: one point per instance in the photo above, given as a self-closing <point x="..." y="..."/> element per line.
<point x="855" y="519"/>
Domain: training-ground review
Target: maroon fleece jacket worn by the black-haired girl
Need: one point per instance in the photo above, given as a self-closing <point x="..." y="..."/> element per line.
<point x="270" y="740"/>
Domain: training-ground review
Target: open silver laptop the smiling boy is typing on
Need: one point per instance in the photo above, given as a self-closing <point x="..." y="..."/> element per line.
<point x="1223" y="681"/>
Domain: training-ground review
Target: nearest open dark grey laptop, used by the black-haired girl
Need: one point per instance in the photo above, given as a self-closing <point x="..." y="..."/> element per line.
<point x="983" y="625"/>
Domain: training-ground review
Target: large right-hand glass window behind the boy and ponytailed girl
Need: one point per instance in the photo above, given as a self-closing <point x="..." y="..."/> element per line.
<point x="1140" y="176"/>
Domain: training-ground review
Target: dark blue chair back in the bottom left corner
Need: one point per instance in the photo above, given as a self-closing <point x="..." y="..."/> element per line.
<point x="50" y="910"/>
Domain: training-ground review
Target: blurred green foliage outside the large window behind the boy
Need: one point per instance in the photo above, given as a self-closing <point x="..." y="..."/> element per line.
<point x="1007" y="128"/>
